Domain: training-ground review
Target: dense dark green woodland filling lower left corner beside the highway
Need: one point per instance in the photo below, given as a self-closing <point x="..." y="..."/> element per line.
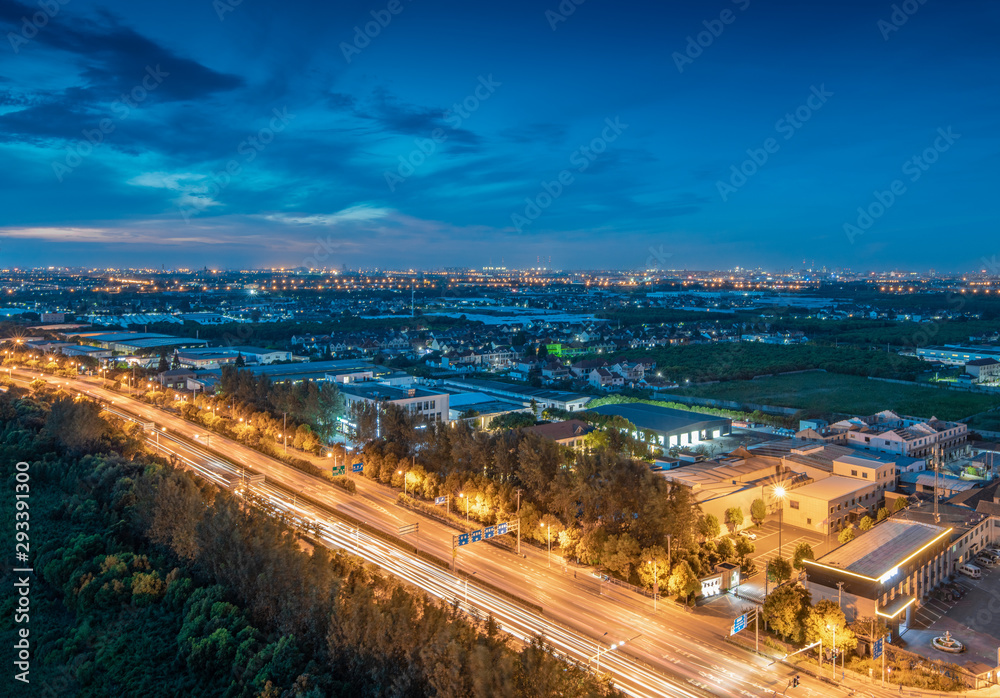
<point x="153" y="583"/>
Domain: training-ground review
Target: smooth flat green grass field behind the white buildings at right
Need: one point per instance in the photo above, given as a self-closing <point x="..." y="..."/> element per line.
<point x="823" y="394"/>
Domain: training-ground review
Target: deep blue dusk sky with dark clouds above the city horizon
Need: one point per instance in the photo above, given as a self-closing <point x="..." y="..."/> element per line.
<point x="599" y="135"/>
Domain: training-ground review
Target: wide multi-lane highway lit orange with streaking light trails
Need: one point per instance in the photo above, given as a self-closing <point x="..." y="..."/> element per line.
<point x="669" y="652"/>
